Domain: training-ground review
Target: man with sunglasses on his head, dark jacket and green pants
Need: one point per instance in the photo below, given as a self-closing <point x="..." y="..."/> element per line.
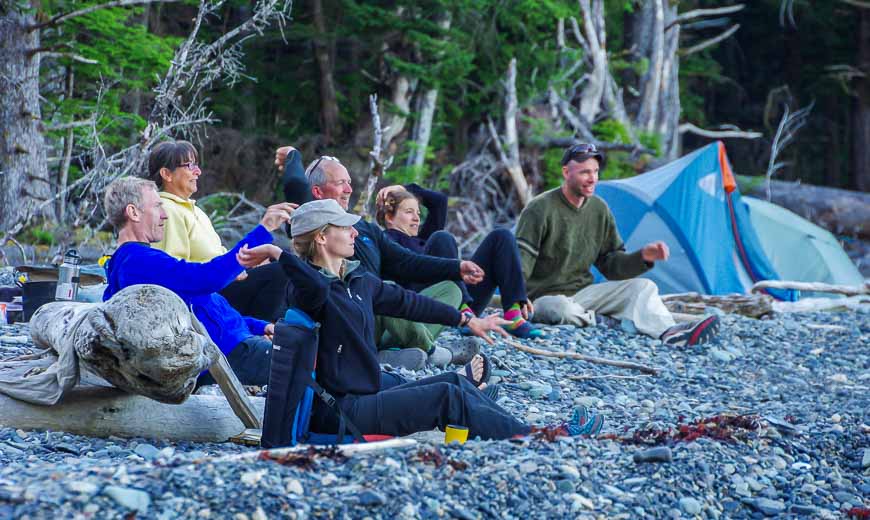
<point x="327" y="178"/>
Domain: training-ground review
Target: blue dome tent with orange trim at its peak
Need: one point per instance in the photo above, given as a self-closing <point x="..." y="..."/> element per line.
<point x="693" y="205"/>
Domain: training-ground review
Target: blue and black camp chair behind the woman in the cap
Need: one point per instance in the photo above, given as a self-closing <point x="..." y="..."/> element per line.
<point x="293" y="388"/>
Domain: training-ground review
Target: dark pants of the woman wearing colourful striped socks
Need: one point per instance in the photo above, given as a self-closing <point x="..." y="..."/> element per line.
<point x="499" y="258"/>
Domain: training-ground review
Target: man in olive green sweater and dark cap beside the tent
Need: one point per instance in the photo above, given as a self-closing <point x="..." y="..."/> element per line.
<point x="564" y="231"/>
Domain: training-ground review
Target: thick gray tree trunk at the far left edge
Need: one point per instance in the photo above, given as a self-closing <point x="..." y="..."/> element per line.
<point x="24" y="181"/>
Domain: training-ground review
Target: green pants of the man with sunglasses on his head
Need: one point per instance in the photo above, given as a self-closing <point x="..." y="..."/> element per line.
<point x="396" y="332"/>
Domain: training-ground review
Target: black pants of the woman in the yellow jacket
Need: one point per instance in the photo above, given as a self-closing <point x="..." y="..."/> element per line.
<point x="262" y="295"/>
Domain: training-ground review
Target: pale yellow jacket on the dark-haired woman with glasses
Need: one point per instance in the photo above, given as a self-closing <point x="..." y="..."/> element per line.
<point x="187" y="232"/>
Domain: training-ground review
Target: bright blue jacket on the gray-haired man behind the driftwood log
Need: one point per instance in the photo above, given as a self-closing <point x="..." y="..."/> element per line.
<point x="196" y="283"/>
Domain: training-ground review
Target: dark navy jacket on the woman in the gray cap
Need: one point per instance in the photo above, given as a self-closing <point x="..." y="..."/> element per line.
<point x="347" y="358"/>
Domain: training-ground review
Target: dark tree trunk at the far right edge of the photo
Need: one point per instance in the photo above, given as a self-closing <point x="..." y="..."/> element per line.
<point x="861" y="133"/>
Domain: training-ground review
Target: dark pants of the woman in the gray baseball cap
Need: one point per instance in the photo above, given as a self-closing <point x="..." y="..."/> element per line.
<point x="433" y="402"/>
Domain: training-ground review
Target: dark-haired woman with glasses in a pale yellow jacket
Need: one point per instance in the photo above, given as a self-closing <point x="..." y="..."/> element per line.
<point x="188" y="233"/>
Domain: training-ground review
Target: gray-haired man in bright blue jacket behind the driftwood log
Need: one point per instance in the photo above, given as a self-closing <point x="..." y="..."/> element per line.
<point x="135" y="210"/>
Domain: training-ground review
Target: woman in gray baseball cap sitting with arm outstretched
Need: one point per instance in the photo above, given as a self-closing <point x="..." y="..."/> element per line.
<point x="344" y="300"/>
